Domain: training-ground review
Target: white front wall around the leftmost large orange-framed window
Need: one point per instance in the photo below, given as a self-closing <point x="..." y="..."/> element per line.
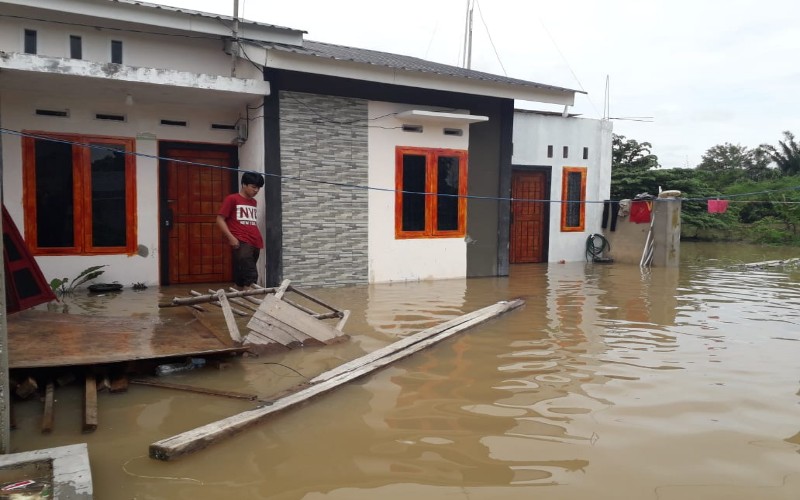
<point x="143" y="123"/>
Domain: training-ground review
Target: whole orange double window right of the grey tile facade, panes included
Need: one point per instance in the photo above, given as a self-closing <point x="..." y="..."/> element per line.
<point x="431" y="185"/>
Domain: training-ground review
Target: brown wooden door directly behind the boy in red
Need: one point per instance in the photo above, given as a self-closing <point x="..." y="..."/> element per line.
<point x="198" y="252"/>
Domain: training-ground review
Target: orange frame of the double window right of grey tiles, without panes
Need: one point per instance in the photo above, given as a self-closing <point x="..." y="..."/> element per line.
<point x="431" y="200"/>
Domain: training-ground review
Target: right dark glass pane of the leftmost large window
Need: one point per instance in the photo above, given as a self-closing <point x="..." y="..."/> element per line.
<point x="108" y="196"/>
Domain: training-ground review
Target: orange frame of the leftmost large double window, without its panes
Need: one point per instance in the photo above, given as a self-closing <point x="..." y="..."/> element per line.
<point x="81" y="195"/>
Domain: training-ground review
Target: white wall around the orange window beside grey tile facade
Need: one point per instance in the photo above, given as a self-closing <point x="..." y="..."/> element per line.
<point x="391" y="259"/>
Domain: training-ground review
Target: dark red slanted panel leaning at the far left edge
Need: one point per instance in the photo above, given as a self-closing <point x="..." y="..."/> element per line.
<point x="25" y="283"/>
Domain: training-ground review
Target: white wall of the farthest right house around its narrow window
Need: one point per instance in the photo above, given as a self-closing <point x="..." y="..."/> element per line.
<point x="533" y="132"/>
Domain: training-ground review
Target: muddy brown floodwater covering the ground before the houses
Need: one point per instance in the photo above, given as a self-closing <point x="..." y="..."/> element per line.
<point x="610" y="383"/>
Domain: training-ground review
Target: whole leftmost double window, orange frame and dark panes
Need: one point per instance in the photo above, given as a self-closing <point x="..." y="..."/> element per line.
<point x="79" y="194"/>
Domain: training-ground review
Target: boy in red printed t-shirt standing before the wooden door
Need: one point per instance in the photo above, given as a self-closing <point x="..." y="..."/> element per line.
<point x="237" y="219"/>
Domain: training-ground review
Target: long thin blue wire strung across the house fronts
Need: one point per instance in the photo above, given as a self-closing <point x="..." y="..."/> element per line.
<point x="285" y="177"/>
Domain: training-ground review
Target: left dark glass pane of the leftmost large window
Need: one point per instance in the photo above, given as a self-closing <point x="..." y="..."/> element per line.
<point x="54" y="200"/>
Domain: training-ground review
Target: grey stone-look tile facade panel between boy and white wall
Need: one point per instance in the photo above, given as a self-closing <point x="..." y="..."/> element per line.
<point x="325" y="231"/>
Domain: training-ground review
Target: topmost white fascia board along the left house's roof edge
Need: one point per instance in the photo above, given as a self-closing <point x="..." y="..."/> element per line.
<point x="165" y="18"/>
